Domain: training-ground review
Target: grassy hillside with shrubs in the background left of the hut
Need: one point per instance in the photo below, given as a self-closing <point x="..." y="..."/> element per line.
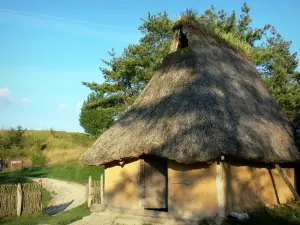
<point x="44" y="146"/>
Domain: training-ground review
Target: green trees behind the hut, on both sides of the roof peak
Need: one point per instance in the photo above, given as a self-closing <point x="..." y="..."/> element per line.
<point x="127" y="75"/>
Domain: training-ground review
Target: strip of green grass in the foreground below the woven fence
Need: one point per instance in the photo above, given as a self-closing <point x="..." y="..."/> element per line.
<point x="62" y="218"/>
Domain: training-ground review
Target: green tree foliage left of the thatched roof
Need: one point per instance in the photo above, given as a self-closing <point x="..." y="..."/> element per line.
<point x="127" y="75"/>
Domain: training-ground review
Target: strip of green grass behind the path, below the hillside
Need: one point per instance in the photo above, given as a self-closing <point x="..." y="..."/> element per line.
<point x="75" y="172"/>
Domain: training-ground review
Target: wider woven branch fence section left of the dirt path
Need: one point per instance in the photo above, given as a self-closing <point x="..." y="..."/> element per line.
<point x="20" y="199"/>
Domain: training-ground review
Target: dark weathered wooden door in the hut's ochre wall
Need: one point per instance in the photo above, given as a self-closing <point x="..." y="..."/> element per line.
<point x="154" y="182"/>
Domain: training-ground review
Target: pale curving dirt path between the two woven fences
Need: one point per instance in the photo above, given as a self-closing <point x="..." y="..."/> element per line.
<point x="65" y="195"/>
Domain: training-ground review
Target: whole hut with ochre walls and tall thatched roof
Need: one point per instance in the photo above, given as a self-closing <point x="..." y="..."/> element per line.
<point x="203" y="137"/>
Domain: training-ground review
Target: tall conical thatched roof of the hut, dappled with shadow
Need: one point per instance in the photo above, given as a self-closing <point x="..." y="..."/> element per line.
<point x="205" y="101"/>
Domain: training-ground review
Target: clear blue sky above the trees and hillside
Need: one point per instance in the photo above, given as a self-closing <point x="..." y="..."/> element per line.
<point x="47" y="48"/>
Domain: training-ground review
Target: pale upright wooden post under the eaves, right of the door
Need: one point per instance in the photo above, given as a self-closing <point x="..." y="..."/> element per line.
<point x="220" y="182"/>
